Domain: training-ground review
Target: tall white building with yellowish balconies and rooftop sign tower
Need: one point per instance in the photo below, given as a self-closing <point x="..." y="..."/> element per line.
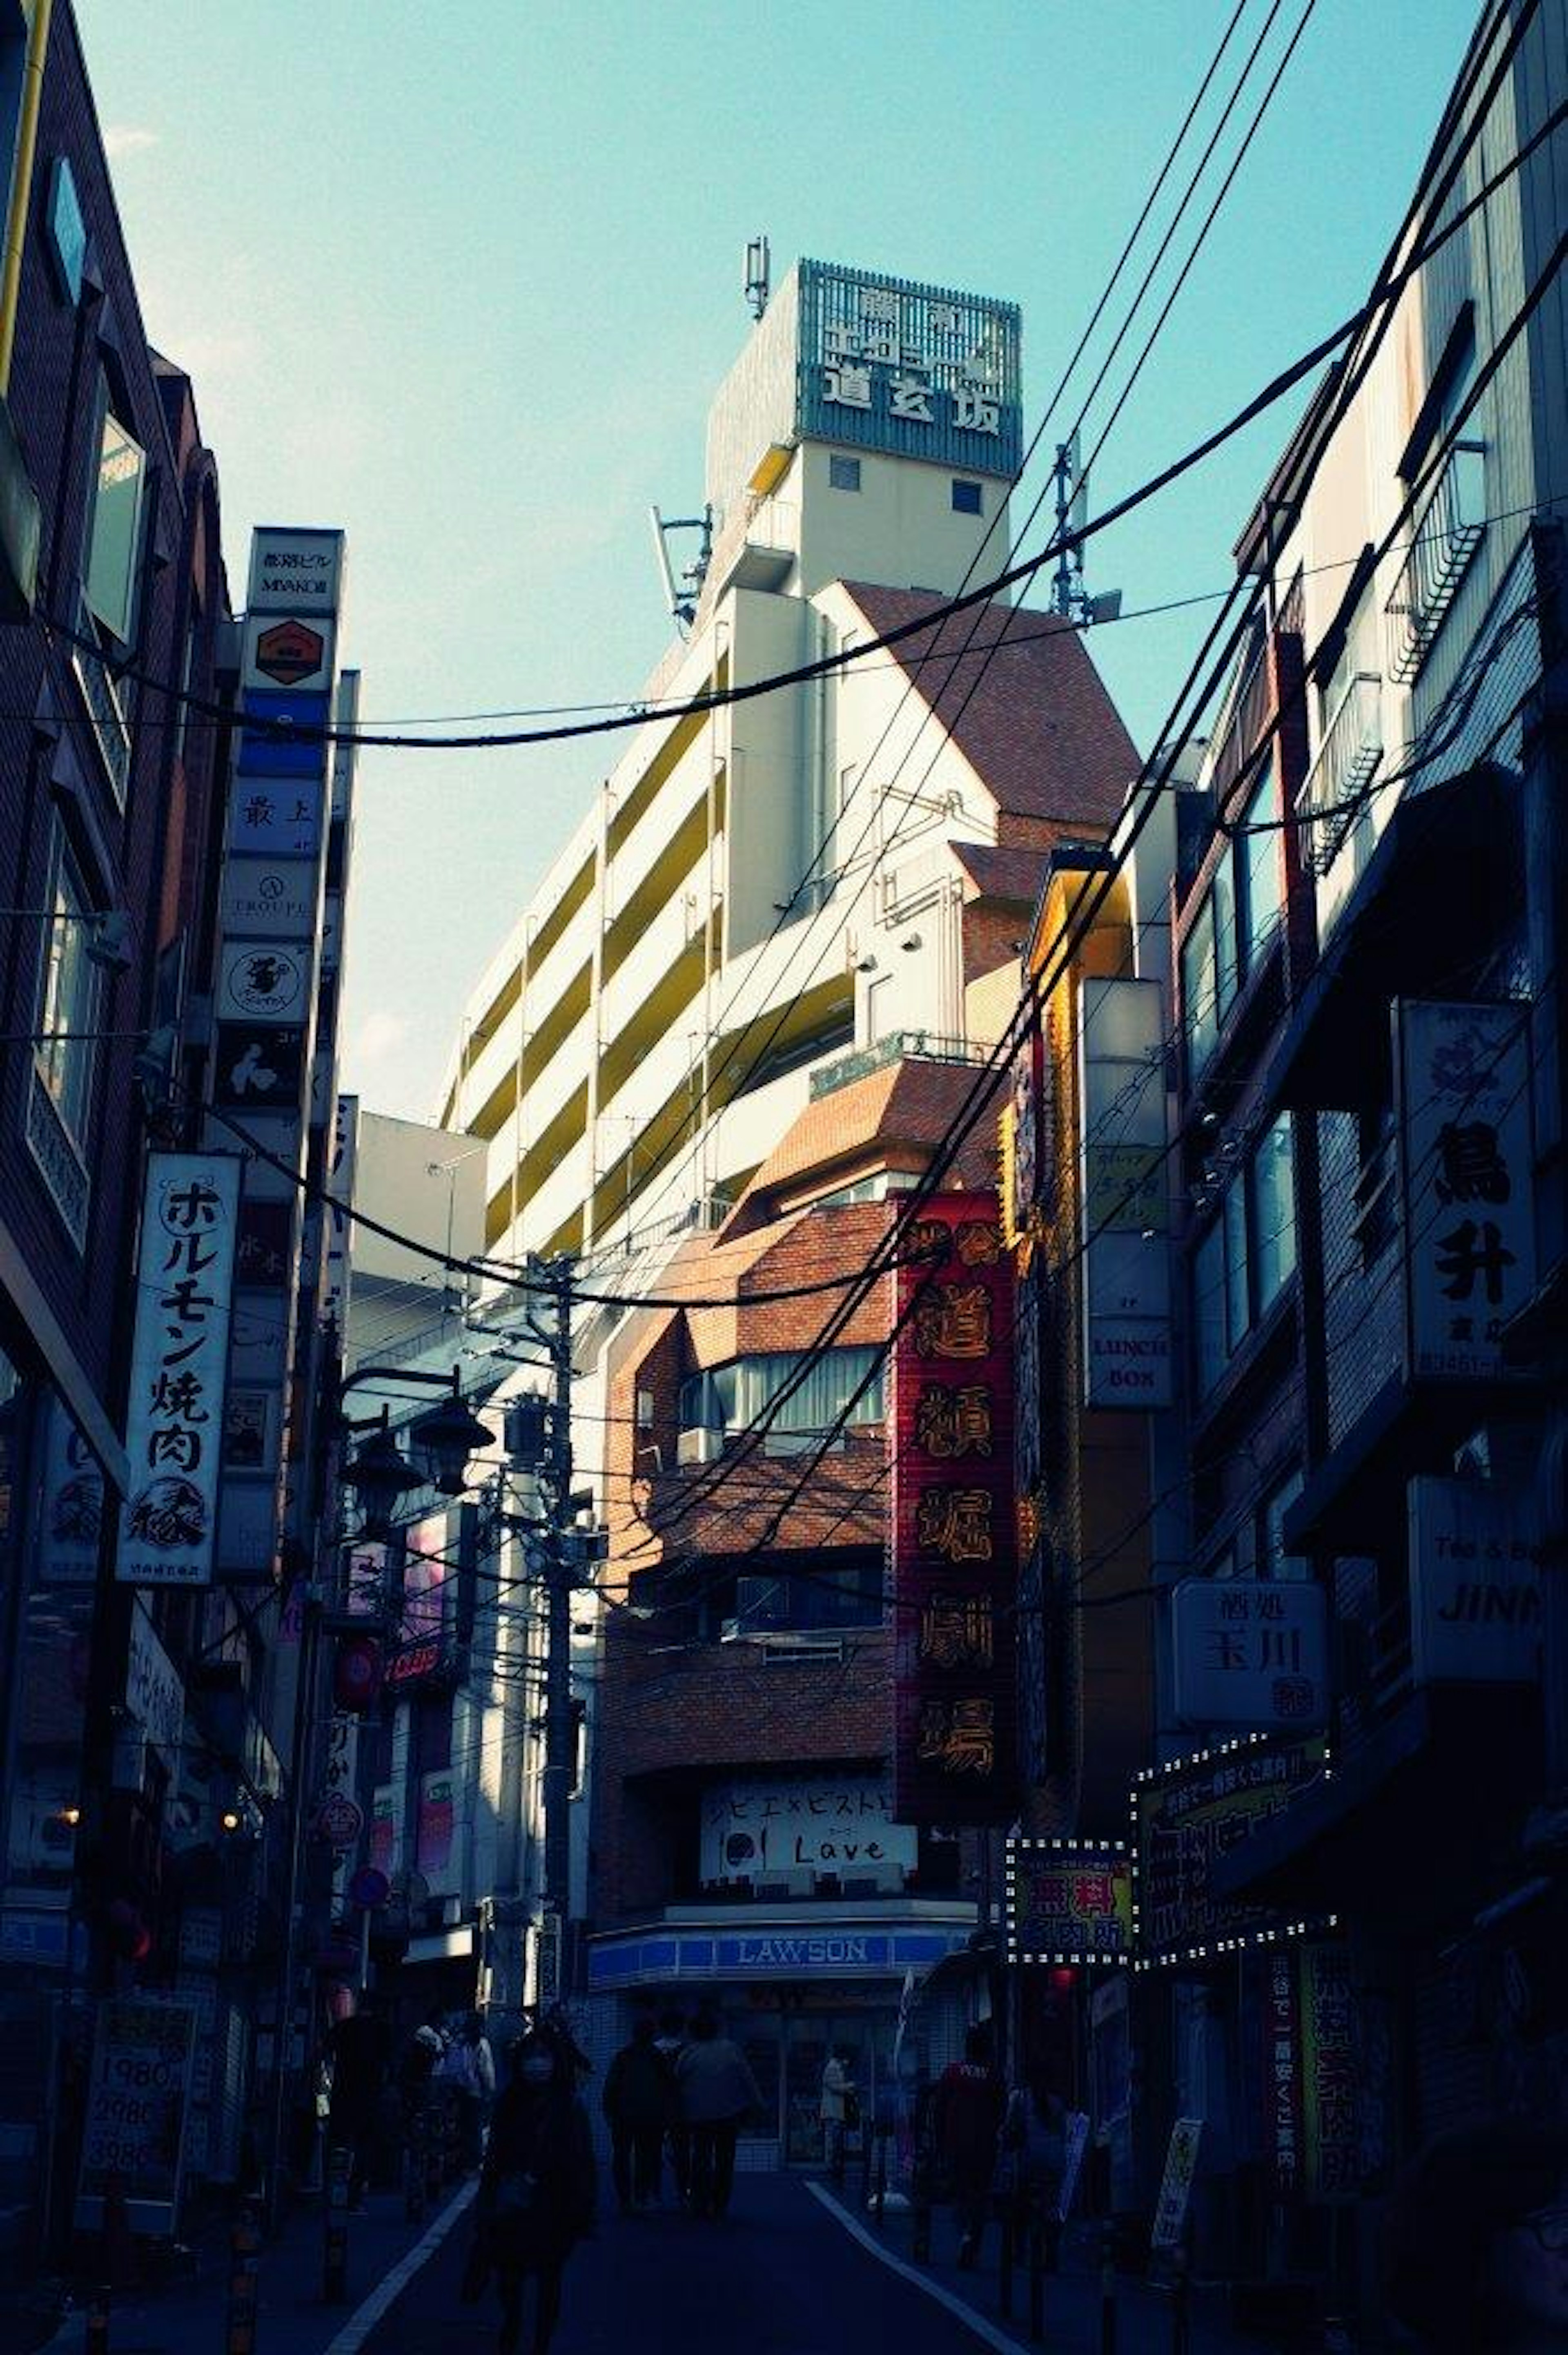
<point x="825" y="868"/>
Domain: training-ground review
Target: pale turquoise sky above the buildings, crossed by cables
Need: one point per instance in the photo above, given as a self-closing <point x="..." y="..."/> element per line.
<point x="467" y="279"/>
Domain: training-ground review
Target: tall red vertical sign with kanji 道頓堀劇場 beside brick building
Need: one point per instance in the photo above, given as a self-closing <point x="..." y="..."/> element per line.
<point x="955" y="1520"/>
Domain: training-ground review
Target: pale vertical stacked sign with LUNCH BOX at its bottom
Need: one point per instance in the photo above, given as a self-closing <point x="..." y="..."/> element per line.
<point x="1124" y="1195"/>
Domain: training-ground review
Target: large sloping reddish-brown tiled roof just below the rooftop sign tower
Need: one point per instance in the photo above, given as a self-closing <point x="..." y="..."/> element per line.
<point x="1025" y="703"/>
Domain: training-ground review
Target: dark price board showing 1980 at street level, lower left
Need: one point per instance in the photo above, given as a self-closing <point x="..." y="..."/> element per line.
<point x="138" y="2099"/>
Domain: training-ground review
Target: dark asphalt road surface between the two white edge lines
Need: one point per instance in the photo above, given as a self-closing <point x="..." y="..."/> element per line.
<point x="776" y="2278"/>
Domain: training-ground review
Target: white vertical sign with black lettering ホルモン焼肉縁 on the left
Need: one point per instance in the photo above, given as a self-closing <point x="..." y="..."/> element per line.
<point x="180" y="1358"/>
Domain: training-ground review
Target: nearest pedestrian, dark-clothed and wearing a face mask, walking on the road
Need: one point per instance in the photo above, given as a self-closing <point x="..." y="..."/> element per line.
<point x="536" y="2196"/>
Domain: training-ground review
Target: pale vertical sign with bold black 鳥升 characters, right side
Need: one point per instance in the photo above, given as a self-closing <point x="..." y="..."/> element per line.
<point x="1466" y="1169"/>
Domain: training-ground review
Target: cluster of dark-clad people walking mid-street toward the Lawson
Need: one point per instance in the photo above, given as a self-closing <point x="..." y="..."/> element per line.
<point x="684" y="2095"/>
